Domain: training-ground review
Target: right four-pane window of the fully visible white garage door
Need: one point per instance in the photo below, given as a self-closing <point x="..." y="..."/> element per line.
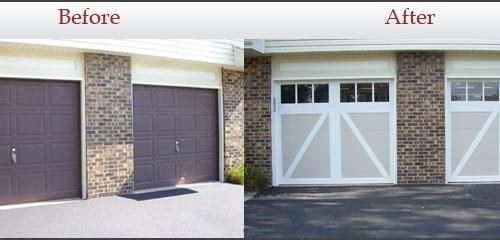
<point x="364" y="92"/>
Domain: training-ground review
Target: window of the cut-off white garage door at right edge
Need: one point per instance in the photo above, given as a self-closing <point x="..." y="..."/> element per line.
<point x="474" y="90"/>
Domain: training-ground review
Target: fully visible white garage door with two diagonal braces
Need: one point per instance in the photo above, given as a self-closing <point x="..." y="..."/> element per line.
<point x="335" y="132"/>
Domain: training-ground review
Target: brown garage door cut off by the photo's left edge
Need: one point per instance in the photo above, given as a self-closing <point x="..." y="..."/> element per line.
<point x="39" y="140"/>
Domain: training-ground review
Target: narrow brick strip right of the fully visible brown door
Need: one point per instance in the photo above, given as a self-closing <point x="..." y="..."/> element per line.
<point x="234" y="115"/>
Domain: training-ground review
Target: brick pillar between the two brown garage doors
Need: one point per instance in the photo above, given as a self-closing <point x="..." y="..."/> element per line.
<point x="109" y="132"/>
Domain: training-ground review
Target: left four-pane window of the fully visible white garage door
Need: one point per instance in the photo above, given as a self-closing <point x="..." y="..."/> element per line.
<point x="304" y="93"/>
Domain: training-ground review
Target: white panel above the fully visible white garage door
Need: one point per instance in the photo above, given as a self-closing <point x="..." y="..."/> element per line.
<point x="335" y="66"/>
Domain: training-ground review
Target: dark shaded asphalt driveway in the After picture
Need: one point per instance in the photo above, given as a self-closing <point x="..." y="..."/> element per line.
<point x="389" y="211"/>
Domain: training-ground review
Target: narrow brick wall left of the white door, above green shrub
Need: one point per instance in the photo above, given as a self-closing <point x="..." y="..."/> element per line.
<point x="258" y="113"/>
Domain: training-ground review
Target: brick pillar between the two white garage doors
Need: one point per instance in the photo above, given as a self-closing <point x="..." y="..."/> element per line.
<point x="420" y="118"/>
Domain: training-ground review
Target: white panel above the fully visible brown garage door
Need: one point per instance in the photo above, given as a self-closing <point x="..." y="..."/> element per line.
<point x="162" y="73"/>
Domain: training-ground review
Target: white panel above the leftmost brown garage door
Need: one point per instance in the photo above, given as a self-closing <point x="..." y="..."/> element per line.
<point x="40" y="64"/>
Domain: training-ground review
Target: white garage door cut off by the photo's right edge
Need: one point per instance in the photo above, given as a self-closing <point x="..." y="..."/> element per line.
<point x="473" y="130"/>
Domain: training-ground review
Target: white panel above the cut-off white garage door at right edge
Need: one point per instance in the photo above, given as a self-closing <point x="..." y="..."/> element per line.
<point x="473" y="65"/>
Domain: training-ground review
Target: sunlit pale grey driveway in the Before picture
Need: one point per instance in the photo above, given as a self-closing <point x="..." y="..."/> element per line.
<point x="205" y="210"/>
